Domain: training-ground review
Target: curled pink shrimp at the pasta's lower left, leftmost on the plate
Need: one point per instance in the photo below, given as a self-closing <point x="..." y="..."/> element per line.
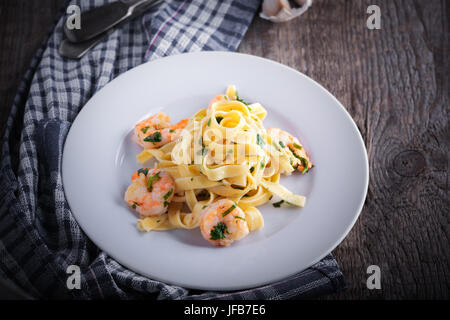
<point x="150" y="192"/>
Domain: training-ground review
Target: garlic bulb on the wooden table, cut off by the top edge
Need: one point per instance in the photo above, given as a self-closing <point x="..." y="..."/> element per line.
<point x="283" y="10"/>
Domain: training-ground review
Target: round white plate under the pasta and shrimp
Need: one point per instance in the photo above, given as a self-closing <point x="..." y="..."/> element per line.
<point x="99" y="158"/>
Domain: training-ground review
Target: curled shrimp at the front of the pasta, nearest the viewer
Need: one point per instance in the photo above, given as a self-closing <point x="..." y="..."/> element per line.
<point x="222" y="222"/>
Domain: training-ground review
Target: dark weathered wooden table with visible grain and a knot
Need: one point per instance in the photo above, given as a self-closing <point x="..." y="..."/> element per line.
<point x="393" y="81"/>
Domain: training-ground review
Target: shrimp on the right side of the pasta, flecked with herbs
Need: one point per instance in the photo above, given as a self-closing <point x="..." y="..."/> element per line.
<point x="301" y="159"/>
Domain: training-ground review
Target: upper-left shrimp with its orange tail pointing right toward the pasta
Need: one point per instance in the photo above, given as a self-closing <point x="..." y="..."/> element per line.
<point x="156" y="131"/>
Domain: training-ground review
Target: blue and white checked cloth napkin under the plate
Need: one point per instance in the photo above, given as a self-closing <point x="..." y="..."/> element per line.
<point x="39" y="237"/>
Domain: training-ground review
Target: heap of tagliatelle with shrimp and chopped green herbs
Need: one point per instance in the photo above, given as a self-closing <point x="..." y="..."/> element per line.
<point x="221" y="152"/>
